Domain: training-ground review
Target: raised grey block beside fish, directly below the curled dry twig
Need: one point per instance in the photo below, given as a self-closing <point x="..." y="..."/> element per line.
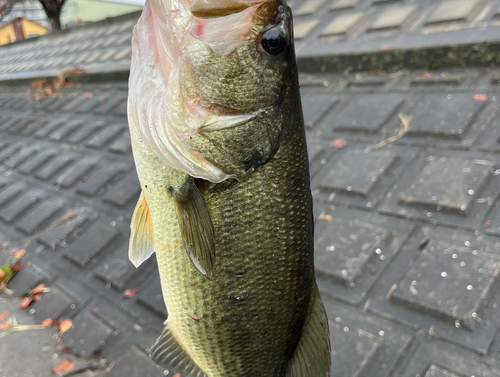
<point x="347" y="174"/>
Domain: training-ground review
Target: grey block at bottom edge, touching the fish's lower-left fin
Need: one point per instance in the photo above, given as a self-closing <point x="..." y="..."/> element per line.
<point x="135" y="363"/>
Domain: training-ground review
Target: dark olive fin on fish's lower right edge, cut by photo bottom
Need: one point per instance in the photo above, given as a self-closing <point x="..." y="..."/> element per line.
<point x="312" y="355"/>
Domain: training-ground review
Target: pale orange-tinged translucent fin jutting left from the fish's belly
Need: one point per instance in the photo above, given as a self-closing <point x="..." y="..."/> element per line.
<point x="141" y="237"/>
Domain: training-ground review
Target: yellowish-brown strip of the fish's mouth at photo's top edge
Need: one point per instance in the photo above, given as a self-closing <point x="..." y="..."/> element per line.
<point x="220" y="8"/>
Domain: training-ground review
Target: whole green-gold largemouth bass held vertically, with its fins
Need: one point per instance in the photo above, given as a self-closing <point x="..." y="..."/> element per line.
<point x="219" y="145"/>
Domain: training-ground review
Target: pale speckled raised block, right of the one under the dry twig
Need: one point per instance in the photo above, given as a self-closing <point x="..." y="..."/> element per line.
<point x="450" y="183"/>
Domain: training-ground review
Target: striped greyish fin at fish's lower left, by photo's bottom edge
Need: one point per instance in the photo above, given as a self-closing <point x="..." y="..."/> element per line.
<point x="168" y="353"/>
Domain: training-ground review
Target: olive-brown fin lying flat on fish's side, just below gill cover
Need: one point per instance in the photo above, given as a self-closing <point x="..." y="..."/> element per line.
<point x="196" y="227"/>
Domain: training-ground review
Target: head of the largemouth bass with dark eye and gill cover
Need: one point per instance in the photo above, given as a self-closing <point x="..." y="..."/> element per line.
<point x="223" y="73"/>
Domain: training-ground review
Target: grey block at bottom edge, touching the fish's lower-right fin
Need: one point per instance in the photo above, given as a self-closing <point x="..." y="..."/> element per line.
<point x="357" y="347"/>
